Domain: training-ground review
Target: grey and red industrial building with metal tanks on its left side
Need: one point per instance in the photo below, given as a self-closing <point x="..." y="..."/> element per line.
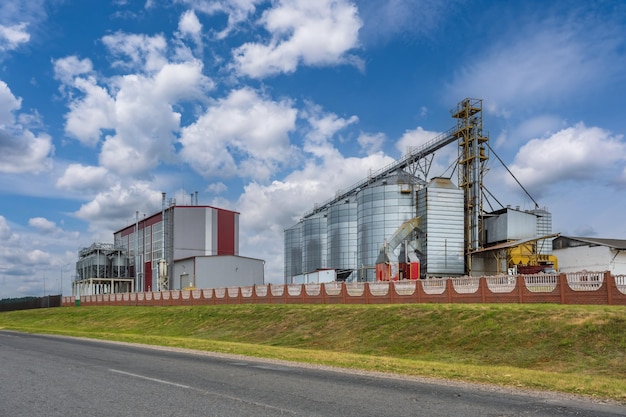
<point x="179" y="247"/>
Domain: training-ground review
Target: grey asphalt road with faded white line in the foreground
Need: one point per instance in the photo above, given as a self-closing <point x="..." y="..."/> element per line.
<point x="59" y="376"/>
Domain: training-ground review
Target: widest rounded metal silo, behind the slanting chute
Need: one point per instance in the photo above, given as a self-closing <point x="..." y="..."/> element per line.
<point x="382" y="207"/>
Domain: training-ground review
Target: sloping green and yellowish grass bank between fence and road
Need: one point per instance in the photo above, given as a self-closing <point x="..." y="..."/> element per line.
<point x="573" y="349"/>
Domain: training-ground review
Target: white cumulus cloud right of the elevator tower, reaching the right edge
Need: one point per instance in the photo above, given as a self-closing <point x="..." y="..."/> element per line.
<point x="577" y="153"/>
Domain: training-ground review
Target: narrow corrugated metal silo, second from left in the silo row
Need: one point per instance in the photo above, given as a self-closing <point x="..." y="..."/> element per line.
<point x="314" y="245"/>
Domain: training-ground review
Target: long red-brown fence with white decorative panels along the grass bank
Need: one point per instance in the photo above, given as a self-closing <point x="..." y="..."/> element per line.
<point x="600" y="288"/>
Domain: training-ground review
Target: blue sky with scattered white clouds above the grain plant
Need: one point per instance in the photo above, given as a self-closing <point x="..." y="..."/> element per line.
<point x="268" y="107"/>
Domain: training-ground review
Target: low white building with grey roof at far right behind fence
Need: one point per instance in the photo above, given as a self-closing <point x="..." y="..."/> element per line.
<point x="590" y="254"/>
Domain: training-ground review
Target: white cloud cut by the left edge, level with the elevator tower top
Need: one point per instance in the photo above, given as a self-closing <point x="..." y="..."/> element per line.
<point x="21" y="150"/>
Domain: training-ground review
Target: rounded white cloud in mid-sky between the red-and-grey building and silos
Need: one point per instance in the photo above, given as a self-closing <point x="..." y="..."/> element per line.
<point x="244" y="125"/>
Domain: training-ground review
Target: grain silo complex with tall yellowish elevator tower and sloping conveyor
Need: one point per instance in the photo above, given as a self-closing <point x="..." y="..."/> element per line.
<point x="402" y="223"/>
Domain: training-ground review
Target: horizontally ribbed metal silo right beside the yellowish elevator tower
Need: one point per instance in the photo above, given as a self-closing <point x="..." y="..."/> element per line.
<point x="440" y="207"/>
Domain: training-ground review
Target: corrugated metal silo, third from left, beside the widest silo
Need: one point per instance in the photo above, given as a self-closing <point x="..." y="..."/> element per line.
<point x="342" y="236"/>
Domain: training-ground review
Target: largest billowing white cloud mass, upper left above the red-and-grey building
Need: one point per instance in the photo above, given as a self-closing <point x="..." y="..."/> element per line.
<point x="138" y="108"/>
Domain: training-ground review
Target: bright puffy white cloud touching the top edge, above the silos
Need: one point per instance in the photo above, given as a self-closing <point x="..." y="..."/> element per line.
<point x="316" y="33"/>
